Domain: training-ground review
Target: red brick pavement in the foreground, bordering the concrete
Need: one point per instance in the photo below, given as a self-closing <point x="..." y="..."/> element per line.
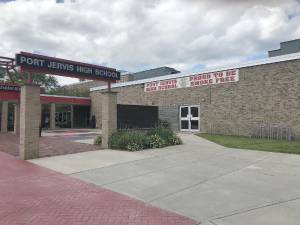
<point x="33" y="195"/>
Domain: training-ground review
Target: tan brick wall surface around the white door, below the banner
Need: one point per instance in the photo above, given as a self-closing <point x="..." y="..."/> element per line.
<point x="265" y="94"/>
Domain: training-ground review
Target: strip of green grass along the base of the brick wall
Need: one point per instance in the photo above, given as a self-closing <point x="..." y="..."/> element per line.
<point x="254" y="143"/>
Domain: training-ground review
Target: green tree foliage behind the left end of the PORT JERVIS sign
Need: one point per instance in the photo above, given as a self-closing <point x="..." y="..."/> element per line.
<point x="47" y="81"/>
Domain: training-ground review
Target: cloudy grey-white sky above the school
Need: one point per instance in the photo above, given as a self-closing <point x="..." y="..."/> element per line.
<point x="134" y="35"/>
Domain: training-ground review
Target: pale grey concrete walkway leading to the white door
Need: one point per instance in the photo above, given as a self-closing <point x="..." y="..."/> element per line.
<point x="204" y="181"/>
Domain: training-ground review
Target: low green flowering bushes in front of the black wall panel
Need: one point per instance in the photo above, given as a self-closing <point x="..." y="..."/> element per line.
<point x="137" y="140"/>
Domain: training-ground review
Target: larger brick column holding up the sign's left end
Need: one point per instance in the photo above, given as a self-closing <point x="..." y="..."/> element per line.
<point x="30" y="111"/>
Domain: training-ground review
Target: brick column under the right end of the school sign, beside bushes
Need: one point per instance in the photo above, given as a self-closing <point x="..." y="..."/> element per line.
<point x="109" y="116"/>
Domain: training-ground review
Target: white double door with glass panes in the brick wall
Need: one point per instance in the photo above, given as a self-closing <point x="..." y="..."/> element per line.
<point x="189" y="118"/>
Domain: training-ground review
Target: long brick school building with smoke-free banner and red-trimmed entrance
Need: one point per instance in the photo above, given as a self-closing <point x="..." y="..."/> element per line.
<point x="260" y="98"/>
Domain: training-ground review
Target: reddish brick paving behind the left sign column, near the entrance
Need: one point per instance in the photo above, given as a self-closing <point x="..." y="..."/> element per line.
<point x="49" y="146"/>
